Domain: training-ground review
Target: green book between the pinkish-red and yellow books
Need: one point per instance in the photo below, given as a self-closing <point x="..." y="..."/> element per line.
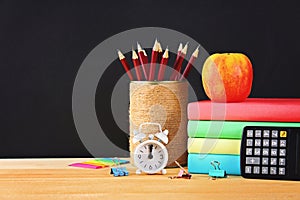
<point x="227" y="129"/>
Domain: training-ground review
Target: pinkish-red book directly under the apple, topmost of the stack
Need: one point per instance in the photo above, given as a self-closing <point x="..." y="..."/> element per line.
<point x="253" y="109"/>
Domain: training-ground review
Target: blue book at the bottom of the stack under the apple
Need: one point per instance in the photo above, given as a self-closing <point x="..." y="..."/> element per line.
<point x="201" y="163"/>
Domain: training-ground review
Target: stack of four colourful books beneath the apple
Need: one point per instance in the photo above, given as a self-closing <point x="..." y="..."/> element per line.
<point x="215" y="129"/>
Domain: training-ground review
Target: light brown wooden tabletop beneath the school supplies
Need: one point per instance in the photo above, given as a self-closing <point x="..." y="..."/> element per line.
<point x="54" y="179"/>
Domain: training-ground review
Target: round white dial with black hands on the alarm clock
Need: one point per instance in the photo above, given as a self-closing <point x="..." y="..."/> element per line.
<point x="150" y="156"/>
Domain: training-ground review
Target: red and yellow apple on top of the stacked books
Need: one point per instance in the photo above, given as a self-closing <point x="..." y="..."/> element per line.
<point x="227" y="77"/>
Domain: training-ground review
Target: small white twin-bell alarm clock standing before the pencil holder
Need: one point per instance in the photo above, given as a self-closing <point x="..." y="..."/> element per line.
<point x="150" y="156"/>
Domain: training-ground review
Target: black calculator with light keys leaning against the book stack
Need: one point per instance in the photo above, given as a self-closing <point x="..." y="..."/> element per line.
<point x="270" y="153"/>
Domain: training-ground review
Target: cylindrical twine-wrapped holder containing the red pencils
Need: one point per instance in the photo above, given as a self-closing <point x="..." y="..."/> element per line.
<point x="163" y="102"/>
